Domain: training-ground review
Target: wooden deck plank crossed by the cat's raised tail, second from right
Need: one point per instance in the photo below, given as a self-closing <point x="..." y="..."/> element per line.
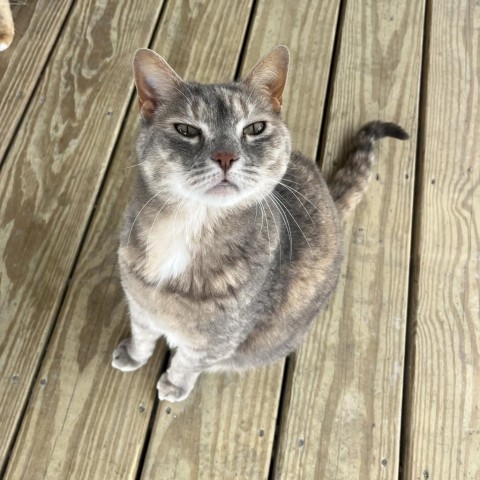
<point x="344" y="390"/>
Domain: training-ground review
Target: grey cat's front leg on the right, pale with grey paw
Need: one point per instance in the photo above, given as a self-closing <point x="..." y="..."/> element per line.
<point x="186" y="365"/>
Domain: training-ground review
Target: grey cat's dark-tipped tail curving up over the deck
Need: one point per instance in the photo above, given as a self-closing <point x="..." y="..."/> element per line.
<point x="350" y="182"/>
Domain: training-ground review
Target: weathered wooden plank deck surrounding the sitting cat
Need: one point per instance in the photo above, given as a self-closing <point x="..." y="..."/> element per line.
<point x="387" y="384"/>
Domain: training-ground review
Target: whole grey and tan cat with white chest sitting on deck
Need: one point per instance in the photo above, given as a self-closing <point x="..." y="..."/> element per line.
<point x="231" y="244"/>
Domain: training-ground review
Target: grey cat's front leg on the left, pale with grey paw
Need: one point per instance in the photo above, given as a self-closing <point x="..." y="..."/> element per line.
<point x="134" y="352"/>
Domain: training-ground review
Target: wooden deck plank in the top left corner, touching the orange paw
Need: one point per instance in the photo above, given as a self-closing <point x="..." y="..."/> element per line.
<point x="37" y="25"/>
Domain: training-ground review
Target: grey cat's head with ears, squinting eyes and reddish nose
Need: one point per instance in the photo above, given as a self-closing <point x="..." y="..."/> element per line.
<point x="221" y="144"/>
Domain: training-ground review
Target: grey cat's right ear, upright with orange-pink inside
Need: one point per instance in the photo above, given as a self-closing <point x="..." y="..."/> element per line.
<point x="270" y="74"/>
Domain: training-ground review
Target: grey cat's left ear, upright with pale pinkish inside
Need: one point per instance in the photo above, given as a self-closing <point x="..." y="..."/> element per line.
<point x="155" y="80"/>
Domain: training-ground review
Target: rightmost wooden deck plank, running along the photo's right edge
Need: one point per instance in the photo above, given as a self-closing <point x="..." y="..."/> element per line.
<point x="443" y="437"/>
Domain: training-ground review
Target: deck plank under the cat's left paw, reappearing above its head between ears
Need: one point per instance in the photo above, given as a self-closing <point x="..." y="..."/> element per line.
<point x="89" y="420"/>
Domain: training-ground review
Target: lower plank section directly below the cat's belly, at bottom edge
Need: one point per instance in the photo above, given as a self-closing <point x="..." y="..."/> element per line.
<point x="224" y="430"/>
